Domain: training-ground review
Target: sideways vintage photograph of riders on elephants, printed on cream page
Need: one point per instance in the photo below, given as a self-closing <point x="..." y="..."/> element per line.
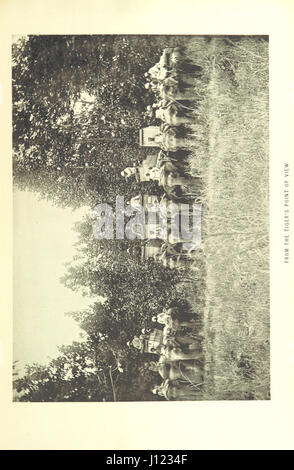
<point x="141" y="261"/>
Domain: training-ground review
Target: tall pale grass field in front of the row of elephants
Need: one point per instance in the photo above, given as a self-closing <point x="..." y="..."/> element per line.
<point x="231" y="154"/>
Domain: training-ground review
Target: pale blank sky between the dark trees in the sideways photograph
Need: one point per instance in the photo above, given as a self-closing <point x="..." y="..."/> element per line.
<point x="43" y="242"/>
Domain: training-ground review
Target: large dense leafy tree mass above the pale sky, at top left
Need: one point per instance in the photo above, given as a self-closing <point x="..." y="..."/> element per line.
<point x="77" y="110"/>
